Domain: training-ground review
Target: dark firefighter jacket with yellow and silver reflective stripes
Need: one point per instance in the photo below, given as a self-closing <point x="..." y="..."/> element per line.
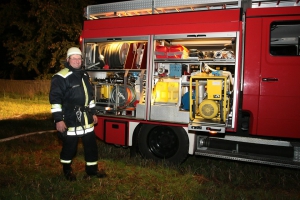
<point x="71" y="98"/>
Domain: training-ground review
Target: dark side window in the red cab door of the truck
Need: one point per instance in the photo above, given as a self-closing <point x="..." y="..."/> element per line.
<point x="285" y="38"/>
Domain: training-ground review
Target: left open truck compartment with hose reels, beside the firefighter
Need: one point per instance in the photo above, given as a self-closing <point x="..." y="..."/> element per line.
<point x="117" y="68"/>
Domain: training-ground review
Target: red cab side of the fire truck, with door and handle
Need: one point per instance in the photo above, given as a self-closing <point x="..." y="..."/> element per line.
<point x="271" y="79"/>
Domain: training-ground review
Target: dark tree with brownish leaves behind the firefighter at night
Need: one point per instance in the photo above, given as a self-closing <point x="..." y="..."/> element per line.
<point x="37" y="33"/>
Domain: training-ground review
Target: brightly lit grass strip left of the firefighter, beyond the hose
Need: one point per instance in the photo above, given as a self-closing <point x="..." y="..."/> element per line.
<point x="20" y="115"/>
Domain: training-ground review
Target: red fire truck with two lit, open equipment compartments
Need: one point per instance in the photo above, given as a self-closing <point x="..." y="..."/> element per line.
<point x="193" y="77"/>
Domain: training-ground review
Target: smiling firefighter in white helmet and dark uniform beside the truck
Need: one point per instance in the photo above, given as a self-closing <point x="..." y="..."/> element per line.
<point x="73" y="110"/>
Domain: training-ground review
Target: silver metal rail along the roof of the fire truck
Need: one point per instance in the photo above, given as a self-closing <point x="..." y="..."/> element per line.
<point x="146" y="7"/>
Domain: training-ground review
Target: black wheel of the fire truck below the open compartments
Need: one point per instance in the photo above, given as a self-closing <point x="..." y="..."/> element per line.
<point x="163" y="143"/>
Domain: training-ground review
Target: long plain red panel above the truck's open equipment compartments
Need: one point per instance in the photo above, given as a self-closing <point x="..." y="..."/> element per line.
<point x="194" y="22"/>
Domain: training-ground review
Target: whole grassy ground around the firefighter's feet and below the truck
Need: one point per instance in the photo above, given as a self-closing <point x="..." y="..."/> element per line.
<point x="30" y="169"/>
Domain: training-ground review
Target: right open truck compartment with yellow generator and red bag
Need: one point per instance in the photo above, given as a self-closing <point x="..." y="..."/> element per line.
<point x="185" y="67"/>
